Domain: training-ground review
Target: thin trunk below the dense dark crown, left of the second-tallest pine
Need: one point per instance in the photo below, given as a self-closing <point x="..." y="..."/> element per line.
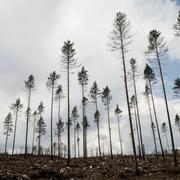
<point x="155" y="115"/>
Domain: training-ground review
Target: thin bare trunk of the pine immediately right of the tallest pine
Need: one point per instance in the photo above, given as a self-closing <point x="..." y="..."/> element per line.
<point x="138" y="117"/>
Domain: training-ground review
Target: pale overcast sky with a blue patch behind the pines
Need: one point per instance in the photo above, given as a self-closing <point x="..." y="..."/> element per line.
<point x="32" y="34"/>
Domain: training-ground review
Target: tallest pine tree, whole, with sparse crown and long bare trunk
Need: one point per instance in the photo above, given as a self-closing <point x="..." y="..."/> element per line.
<point x="120" y="39"/>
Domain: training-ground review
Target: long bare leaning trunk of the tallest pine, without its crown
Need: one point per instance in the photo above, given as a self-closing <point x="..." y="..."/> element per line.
<point x="128" y="104"/>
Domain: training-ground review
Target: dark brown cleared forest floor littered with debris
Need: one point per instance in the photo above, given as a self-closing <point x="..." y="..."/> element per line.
<point x="120" y="167"/>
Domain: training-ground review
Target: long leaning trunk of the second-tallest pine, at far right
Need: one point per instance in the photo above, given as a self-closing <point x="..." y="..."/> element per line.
<point x="167" y="108"/>
